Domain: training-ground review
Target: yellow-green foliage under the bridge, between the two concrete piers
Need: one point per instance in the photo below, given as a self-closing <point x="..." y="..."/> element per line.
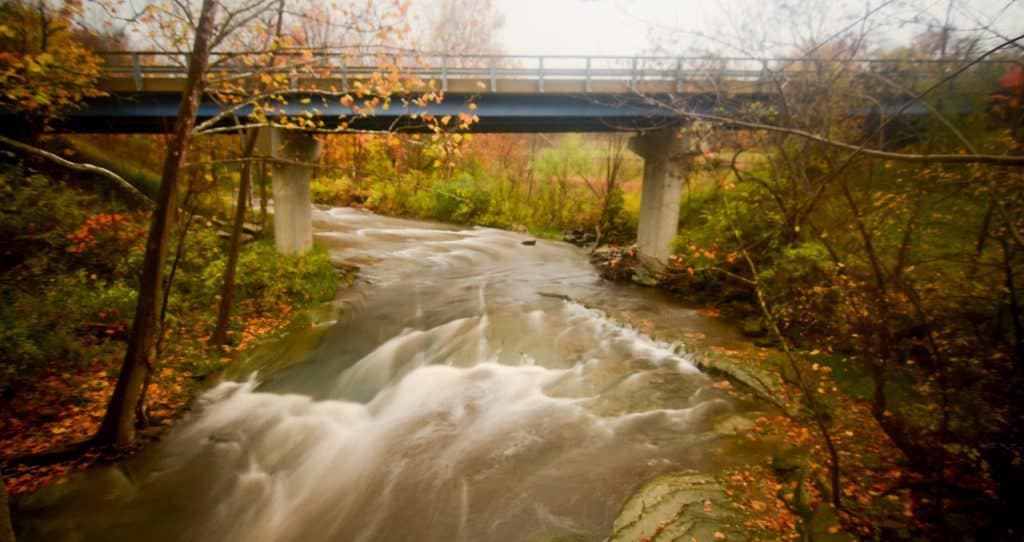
<point x="559" y="189"/>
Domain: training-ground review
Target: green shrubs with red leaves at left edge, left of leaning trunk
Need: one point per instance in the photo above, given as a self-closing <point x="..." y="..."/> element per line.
<point x="60" y="302"/>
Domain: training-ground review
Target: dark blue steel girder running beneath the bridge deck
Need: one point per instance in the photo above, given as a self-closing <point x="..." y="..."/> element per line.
<point x="499" y="113"/>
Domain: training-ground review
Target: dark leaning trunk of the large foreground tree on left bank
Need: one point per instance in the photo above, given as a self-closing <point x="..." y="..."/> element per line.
<point x="119" y="424"/>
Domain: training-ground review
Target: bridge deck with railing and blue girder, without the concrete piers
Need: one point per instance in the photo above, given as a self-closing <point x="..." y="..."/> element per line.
<point x="511" y="94"/>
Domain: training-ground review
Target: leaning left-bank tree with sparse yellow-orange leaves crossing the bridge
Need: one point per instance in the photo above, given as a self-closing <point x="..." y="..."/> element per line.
<point x="254" y="84"/>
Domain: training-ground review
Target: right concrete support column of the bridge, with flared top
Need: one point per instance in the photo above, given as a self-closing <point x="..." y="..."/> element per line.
<point x="667" y="154"/>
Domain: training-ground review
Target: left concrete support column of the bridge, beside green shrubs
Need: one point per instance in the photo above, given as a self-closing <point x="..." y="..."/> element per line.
<point x="293" y="229"/>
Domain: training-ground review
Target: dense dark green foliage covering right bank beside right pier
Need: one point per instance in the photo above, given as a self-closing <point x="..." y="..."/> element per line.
<point x="907" y="276"/>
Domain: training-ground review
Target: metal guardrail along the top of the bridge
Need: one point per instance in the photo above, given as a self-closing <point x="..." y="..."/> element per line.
<point x="489" y="70"/>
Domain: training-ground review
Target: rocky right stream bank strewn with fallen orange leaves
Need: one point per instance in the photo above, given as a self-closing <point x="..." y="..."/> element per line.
<point x="796" y="473"/>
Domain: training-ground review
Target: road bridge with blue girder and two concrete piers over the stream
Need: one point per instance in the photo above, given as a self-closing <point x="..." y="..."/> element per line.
<point x="510" y="94"/>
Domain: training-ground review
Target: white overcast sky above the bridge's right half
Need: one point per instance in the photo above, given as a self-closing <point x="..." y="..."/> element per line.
<point x="630" y="27"/>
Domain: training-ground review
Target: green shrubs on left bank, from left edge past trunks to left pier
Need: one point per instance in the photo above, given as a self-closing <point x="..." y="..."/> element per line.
<point x="69" y="266"/>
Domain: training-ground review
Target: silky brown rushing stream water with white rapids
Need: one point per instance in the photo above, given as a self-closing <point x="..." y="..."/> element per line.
<point x="445" y="399"/>
